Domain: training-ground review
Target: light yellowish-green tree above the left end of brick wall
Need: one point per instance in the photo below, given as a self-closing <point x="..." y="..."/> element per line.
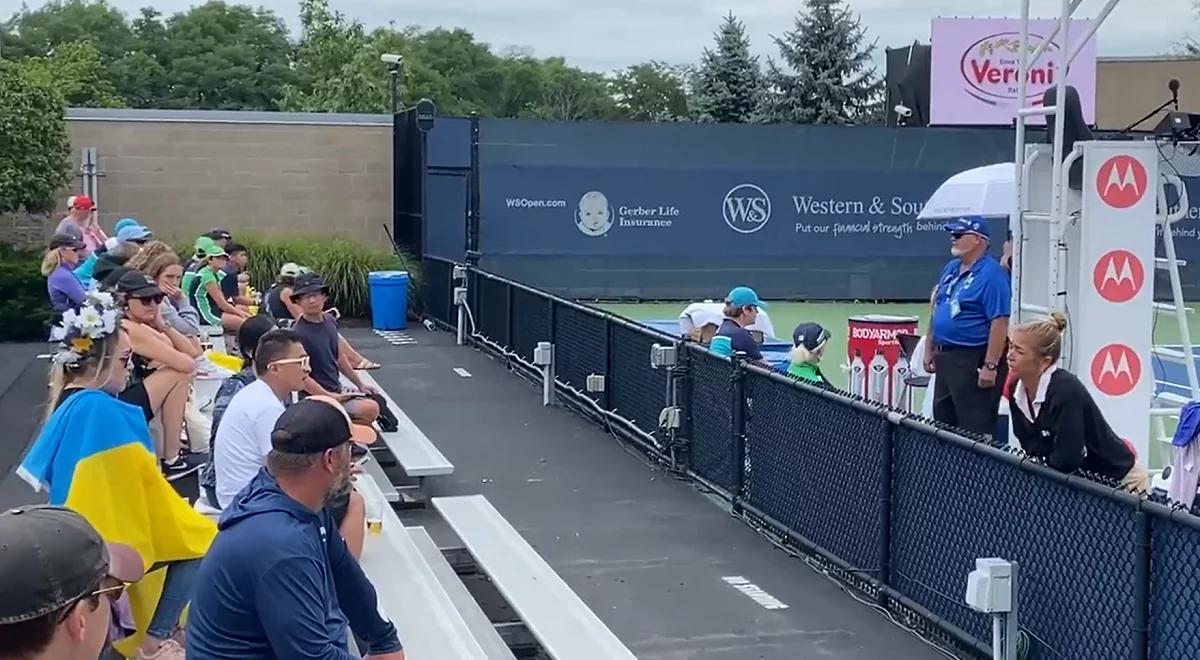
<point x="76" y="73"/>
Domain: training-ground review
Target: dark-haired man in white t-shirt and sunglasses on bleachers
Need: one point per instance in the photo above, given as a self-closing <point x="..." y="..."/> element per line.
<point x="244" y="436"/>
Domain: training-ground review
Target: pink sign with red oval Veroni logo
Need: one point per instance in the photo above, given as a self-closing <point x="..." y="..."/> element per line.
<point x="975" y="63"/>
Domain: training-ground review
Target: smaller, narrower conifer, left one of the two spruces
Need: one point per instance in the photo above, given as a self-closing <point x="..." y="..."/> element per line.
<point x="729" y="82"/>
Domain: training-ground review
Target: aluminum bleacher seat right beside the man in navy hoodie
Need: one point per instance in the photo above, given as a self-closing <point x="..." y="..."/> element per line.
<point x="411" y="596"/>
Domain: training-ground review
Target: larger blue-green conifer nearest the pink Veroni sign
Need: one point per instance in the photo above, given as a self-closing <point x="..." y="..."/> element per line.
<point x="827" y="74"/>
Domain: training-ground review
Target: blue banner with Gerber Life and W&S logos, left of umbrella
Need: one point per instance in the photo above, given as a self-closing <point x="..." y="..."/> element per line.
<point x="707" y="213"/>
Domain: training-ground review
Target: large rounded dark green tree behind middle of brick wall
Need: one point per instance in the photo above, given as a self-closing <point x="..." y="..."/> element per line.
<point x="226" y="57"/>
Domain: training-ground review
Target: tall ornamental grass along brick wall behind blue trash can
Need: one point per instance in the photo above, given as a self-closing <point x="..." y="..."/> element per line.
<point x="344" y="263"/>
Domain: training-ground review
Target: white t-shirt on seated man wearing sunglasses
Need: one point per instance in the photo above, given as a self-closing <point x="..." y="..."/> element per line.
<point x="244" y="439"/>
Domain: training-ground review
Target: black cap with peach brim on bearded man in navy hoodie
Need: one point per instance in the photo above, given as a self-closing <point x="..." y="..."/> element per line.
<point x="316" y="424"/>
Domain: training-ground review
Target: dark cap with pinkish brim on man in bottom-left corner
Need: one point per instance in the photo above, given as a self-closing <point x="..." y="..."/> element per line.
<point x="52" y="557"/>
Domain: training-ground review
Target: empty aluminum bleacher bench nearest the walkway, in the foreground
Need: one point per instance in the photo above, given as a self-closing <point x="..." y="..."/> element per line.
<point x="561" y="622"/>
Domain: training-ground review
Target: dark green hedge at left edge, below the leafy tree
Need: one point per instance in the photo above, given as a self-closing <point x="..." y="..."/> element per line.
<point x="25" y="307"/>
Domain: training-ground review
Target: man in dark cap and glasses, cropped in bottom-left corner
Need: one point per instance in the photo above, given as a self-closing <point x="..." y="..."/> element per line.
<point x="62" y="585"/>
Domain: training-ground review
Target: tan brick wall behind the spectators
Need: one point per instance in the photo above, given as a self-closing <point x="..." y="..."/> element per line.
<point x="184" y="173"/>
